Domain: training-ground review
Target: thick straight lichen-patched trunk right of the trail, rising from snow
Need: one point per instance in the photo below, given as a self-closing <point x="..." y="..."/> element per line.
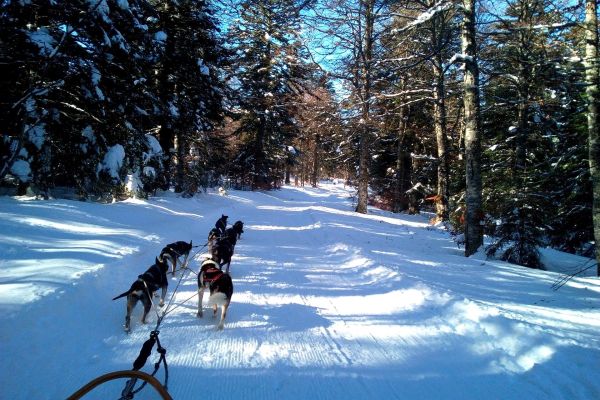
<point x="473" y="229"/>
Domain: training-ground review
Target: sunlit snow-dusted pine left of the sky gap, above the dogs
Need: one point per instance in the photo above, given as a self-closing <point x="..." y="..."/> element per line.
<point x="268" y="66"/>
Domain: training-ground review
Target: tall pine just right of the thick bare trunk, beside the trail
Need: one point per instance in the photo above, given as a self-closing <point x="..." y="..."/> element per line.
<point x="526" y="133"/>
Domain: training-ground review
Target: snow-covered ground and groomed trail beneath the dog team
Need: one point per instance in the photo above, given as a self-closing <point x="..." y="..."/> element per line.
<point x="328" y="304"/>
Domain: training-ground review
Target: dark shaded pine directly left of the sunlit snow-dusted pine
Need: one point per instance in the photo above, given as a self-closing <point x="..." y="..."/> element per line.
<point x="189" y="89"/>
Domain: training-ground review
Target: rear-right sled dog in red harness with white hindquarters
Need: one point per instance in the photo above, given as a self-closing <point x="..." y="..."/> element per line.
<point x="220" y="288"/>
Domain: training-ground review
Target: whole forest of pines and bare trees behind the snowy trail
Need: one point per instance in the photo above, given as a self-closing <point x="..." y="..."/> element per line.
<point x="481" y="112"/>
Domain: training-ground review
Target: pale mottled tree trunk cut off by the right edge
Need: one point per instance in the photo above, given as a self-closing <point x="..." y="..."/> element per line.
<point x="592" y="78"/>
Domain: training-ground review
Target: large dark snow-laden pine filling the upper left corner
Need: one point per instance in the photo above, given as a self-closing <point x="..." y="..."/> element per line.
<point x="80" y="94"/>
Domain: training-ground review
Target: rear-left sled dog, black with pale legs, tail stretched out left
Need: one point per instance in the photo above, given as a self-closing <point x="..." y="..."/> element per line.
<point x="143" y="290"/>
